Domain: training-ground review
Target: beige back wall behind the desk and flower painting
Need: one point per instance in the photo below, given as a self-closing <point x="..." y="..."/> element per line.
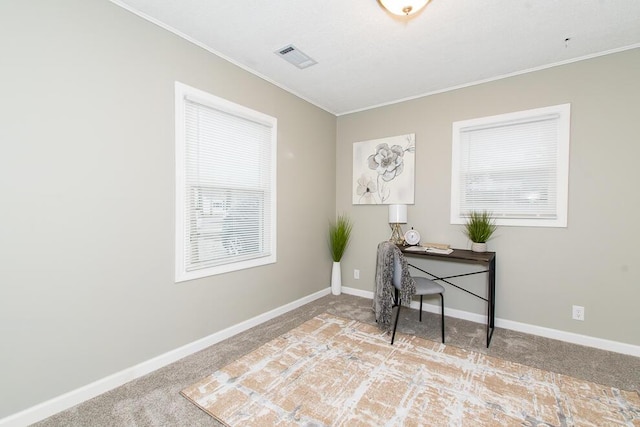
<point x="541" y="272"/>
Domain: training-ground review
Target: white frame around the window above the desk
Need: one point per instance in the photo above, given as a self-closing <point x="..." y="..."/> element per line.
<point x="561" y="114"/>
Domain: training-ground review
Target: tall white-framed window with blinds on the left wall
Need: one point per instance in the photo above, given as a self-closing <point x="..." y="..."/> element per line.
<point x="225" y="185"/>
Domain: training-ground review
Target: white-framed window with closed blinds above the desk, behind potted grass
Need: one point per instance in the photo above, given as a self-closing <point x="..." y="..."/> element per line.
<point x="514" y="165"/>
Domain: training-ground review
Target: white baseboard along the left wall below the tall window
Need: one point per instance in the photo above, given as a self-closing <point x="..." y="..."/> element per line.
<point x="60" y="403"/>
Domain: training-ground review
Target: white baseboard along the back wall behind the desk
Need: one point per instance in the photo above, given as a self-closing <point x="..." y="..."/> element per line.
<point x="570" y="337"/>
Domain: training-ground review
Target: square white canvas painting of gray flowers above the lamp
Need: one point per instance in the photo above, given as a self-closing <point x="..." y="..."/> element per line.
<point x="384" y="171"/>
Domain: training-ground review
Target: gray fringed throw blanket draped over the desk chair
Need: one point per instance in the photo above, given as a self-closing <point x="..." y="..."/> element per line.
<point x="383" y="294"/>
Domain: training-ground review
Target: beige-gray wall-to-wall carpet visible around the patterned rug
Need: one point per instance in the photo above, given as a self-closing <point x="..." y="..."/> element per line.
<point x="155" y="399"/>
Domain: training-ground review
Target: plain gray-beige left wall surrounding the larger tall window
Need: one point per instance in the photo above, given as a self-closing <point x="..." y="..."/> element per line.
<point x="87" y="191"/>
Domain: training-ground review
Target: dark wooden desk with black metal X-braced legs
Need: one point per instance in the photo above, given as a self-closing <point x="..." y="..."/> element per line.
<point x="487" y="259"/>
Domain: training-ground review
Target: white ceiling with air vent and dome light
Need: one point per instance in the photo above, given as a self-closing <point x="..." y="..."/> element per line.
<point x="367" y="57"/>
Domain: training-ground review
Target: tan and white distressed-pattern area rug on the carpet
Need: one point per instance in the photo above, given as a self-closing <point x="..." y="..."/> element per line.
<point x="332" y="371"/>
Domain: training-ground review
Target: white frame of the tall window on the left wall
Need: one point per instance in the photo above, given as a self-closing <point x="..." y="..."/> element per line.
<point x="184" y="270"/>
